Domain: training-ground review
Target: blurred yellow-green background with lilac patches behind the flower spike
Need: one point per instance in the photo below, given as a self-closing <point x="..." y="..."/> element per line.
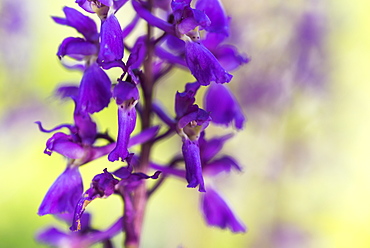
<point x="304" y="152"/>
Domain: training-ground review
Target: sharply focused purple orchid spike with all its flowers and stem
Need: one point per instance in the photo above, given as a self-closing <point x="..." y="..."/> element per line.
<point x="150" y="58"/>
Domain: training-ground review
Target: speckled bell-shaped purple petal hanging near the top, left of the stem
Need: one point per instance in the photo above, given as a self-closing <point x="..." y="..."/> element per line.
<point x="111" y="45"/>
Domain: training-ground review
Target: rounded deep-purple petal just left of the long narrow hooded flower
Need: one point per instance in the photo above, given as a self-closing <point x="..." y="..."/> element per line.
<point x="95" y="90"/>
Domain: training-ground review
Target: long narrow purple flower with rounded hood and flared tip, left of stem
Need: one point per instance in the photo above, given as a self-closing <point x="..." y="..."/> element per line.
<point x="126" y="95"/>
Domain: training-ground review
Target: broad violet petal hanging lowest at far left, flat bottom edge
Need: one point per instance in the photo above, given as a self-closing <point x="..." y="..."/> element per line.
<point x="64" y="194"/>
